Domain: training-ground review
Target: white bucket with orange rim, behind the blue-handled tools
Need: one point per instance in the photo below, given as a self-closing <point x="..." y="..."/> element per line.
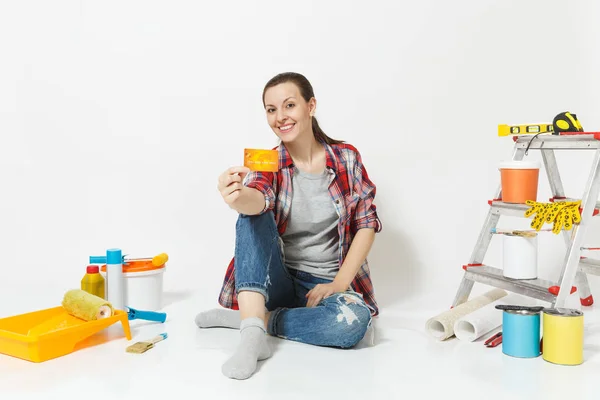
<point x="143" y="284"/>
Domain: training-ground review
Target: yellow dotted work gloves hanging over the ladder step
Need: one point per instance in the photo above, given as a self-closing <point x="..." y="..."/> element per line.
<point x="562" y="214"/>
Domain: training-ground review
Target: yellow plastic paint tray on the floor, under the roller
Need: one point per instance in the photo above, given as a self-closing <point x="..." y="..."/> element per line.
<point x="46" y="334"/>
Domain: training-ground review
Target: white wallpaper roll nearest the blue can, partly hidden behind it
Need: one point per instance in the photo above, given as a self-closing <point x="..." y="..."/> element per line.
<point x="484" y="320"/>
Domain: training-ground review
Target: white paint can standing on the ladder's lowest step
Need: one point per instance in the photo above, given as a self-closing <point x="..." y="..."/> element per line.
<point x="520" y="257"/>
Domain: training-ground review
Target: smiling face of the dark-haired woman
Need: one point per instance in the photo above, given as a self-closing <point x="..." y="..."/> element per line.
<point x="287" y="113"/>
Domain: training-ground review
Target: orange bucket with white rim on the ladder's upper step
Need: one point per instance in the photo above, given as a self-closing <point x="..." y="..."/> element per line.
<point x="519" y="180"/>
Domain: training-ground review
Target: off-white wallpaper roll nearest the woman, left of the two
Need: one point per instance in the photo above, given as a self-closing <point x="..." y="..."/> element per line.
<point x="441" y="326"/>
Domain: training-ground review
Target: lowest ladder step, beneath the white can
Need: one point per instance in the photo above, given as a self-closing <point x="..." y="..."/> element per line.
<point x="536" y="288"/>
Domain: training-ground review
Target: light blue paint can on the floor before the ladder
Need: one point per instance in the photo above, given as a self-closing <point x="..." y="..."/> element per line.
<point x="521" y="333"/>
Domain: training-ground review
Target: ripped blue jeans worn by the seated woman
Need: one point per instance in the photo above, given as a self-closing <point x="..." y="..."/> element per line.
<point x="340" y="320"/>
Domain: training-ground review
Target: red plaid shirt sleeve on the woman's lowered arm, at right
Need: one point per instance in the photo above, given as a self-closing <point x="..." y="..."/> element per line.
<point x="366" y="211"/>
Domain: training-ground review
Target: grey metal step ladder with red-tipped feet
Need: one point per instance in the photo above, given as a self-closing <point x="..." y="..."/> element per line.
<point x="574" y="268"/>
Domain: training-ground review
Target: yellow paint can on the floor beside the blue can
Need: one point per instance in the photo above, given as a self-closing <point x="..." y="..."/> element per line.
<point x="563" y="336"/>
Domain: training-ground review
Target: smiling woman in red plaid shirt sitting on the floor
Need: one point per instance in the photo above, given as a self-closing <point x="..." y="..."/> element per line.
<point x="303" y="233"/>
